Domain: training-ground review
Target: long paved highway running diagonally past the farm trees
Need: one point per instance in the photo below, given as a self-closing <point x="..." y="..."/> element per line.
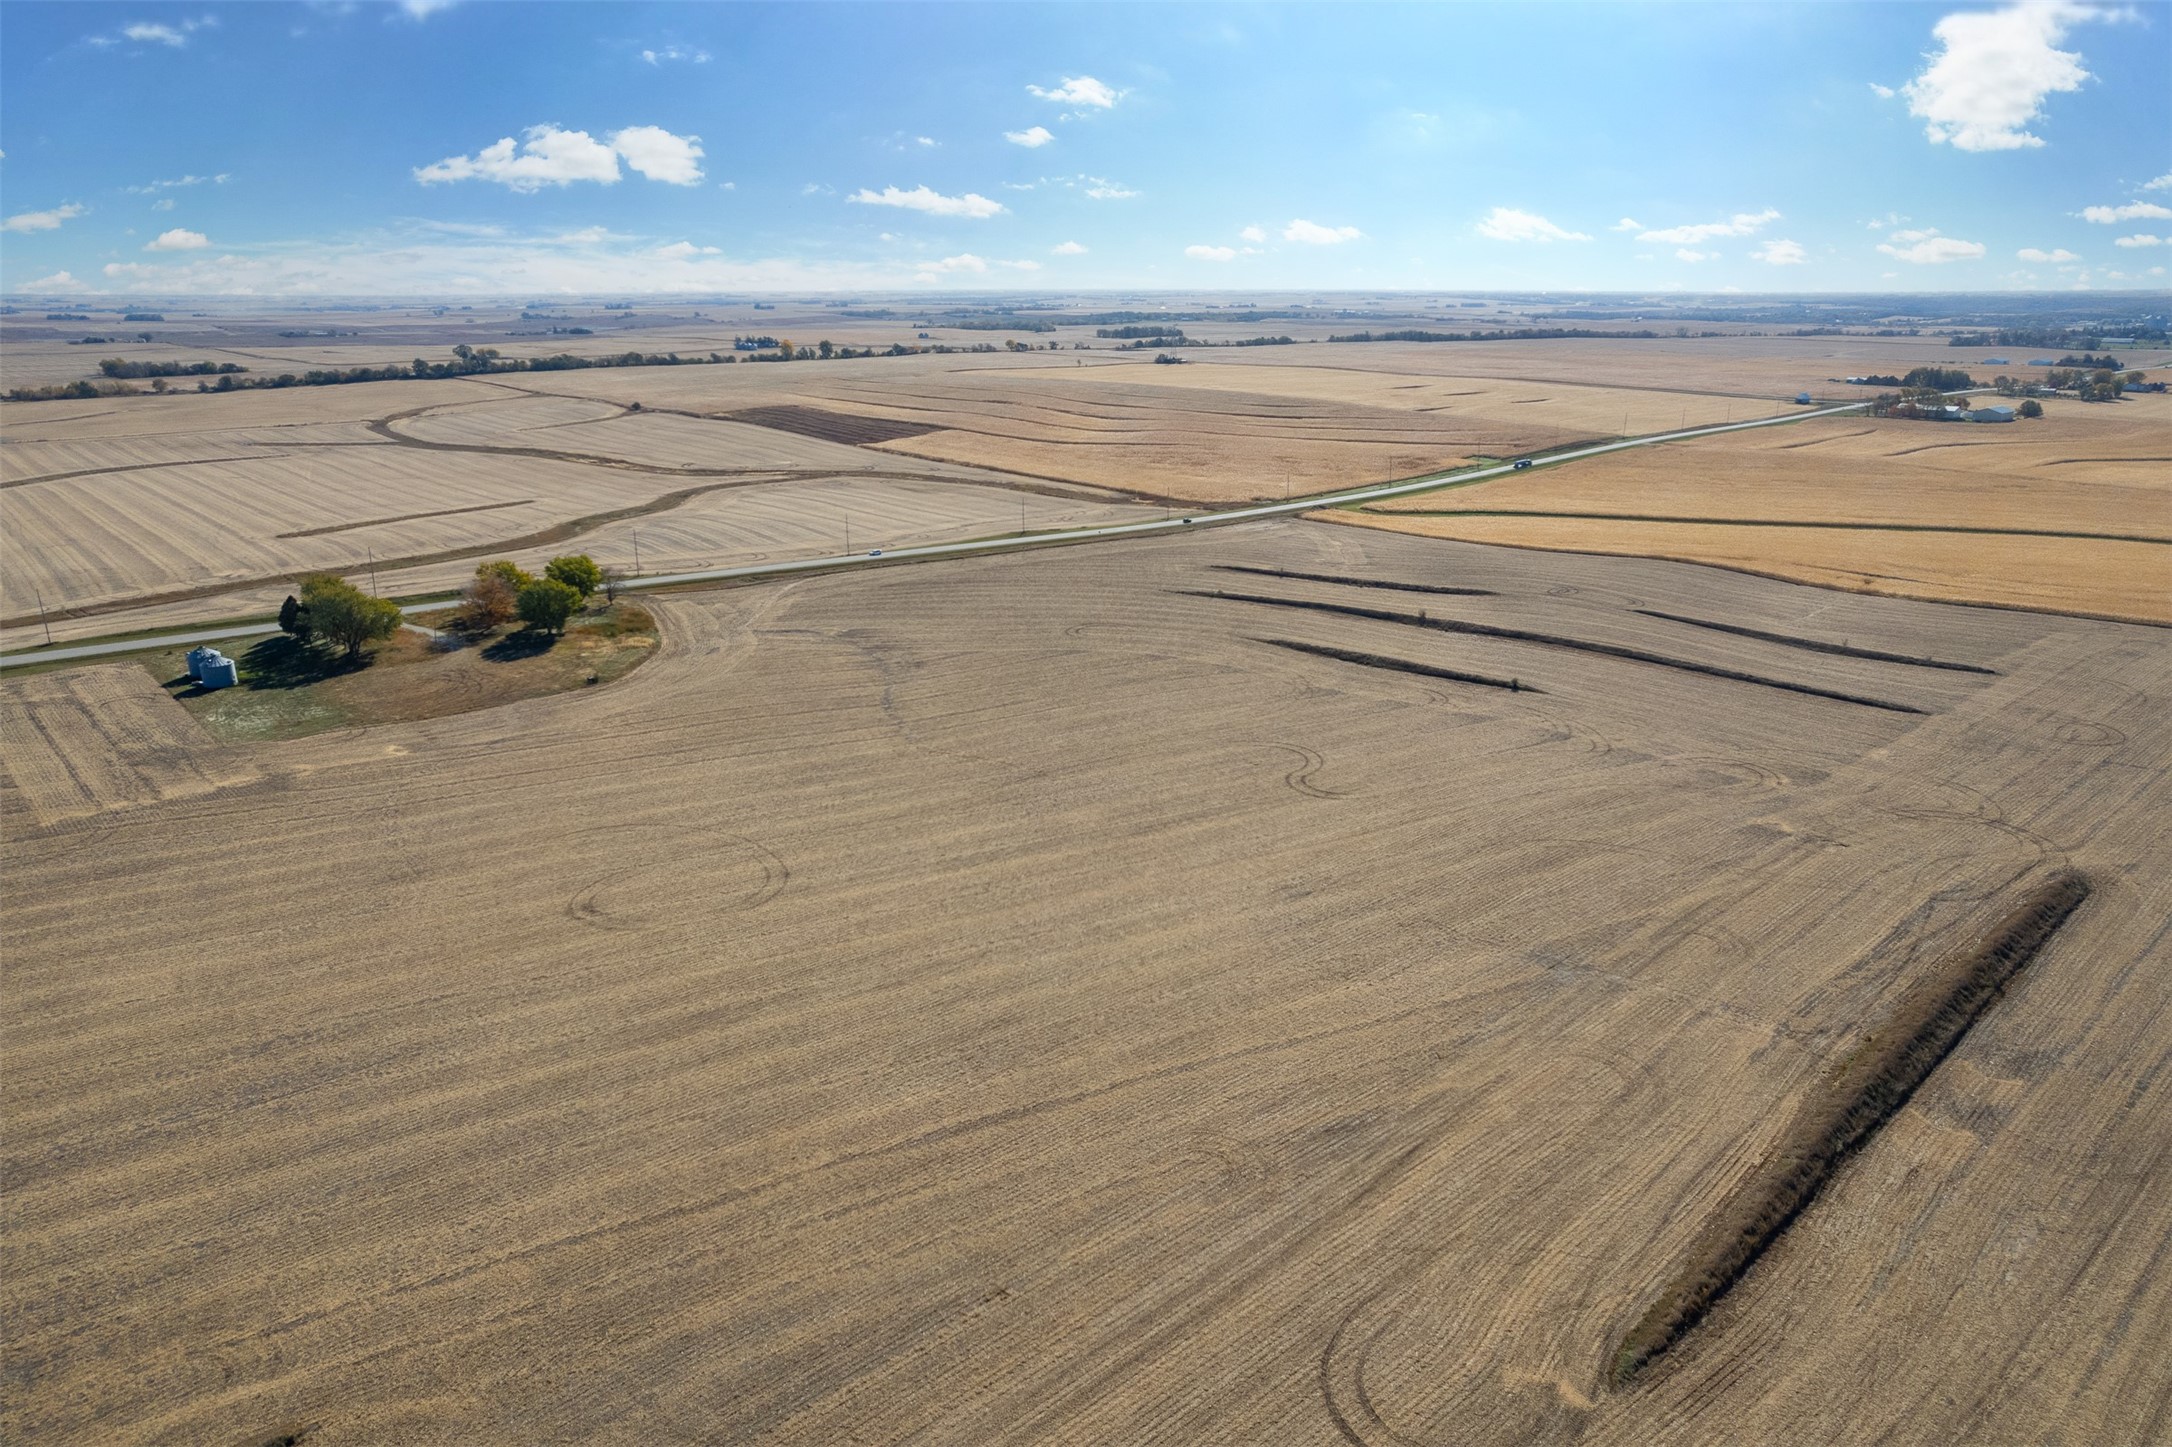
<point x="996" y="544"/>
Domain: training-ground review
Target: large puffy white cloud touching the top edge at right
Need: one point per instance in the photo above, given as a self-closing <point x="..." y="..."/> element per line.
<point x="1993" y="73"/>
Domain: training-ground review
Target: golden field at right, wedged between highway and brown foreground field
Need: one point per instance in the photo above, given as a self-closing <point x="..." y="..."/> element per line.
<point x="2071" y="512"/>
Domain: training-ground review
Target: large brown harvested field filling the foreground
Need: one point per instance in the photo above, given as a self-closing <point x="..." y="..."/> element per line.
<point x="1007" y="1003"/>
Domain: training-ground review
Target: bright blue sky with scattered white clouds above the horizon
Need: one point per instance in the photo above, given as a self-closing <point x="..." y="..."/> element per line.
<point x="498" y="147"/>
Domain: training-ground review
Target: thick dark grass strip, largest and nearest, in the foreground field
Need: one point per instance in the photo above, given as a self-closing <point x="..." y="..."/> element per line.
<point x="1860" y="1094"/>
